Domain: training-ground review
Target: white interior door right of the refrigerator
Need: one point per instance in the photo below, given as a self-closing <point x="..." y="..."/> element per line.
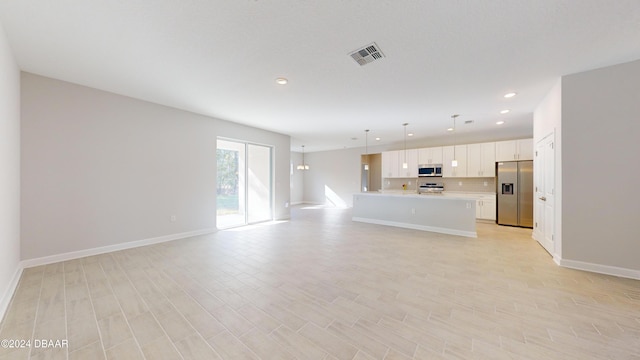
<point x="544" y="222"/>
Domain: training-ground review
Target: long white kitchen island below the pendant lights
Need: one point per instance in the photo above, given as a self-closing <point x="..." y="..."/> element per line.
<point x="435" y="213"/>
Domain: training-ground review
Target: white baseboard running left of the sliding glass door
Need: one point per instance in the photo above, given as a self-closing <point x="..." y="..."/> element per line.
<point x="110" y="248"/>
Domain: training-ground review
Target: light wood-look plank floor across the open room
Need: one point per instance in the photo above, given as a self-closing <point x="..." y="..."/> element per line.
<point x="323" y="287"/>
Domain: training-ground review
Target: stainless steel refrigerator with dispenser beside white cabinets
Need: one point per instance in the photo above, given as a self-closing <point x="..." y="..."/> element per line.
<point x="515" y="193"/>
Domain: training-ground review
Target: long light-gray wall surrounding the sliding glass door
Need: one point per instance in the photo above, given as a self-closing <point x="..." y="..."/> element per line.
<point x="100" y="169"/>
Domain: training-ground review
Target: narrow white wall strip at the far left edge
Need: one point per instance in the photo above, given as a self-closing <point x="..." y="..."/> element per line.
<point x="9" y="172"/>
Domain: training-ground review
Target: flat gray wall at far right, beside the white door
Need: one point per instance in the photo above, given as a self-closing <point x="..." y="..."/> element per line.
<point x="601" y="136"/>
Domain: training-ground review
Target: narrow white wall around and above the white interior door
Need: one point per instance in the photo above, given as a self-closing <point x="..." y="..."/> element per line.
<point x="547" y="120"/>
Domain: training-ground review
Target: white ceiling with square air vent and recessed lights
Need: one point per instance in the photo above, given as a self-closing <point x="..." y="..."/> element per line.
<point x="221" y="58"/>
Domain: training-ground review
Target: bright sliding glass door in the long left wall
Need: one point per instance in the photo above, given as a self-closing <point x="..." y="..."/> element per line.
<point x="244" y="187"/>
